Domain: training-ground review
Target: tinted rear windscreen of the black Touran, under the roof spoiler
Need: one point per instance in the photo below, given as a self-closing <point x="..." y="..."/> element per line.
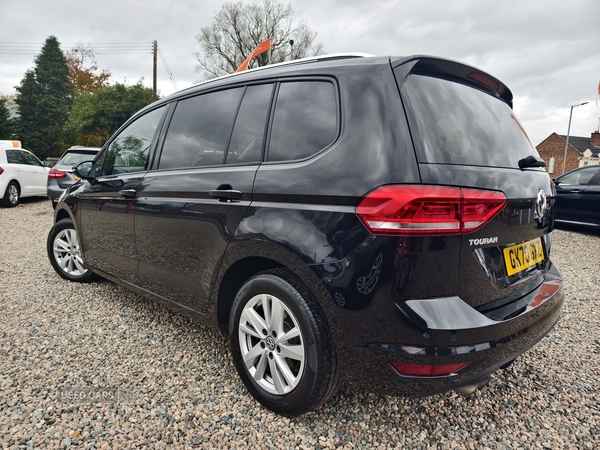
<point x="453" y="123"/>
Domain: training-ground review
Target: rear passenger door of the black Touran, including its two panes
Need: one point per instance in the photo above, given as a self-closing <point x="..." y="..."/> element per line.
<point x="189" y="207"/>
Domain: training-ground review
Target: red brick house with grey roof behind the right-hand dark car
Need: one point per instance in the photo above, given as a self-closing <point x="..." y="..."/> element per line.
<point x="554" y="146"/>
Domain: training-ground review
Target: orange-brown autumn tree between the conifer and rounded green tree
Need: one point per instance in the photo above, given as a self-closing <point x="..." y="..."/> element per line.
<point x="83" y="71"/>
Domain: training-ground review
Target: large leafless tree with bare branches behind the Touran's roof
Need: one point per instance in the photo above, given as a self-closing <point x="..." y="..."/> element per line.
<point x="238" y="28"/>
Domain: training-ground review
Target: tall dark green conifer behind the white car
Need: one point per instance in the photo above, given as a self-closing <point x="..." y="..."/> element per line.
<point x="44" y="100"/>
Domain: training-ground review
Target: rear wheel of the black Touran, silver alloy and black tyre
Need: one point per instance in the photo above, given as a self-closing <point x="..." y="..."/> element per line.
<point x="281" y="344"/>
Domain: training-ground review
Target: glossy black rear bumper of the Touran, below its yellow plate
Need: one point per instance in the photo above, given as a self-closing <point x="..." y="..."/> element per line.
<point x="448" y="331"/>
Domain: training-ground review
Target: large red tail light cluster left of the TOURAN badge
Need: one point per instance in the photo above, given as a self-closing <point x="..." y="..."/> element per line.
<point x="411" y="210"/>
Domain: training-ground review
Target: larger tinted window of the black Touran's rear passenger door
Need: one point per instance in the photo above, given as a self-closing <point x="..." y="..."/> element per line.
<point x="200" y="129"/>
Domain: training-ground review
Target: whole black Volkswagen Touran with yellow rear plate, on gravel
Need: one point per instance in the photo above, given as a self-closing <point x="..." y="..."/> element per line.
<point x="380" y="221"/>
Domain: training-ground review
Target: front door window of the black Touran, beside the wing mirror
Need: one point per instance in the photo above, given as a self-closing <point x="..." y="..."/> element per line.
<point x="128" y="152"/>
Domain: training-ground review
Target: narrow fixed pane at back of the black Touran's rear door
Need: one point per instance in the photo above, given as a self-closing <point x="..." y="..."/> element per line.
<point x="248" y="132"/>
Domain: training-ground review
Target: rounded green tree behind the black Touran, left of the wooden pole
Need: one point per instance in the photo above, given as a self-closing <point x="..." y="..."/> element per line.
<point x="95" y="116"/>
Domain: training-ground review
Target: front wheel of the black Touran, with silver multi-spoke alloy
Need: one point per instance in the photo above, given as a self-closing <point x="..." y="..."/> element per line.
<point x="65" y="253"/>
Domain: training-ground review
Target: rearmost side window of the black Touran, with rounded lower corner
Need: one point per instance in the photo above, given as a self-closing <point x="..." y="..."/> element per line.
<point x="305" y="120"/>
